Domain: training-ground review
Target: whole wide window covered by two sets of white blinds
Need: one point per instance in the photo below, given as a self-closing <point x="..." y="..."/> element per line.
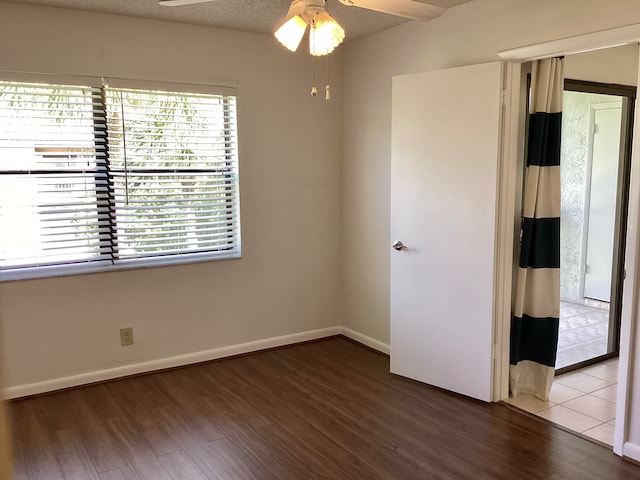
<point x="96" y="178"/>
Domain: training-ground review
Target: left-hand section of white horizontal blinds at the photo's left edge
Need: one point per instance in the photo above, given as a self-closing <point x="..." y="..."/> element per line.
<point x="52" y="189"/>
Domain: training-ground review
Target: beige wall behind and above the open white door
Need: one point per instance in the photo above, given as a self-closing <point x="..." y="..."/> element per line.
<point x="467" y="34"/>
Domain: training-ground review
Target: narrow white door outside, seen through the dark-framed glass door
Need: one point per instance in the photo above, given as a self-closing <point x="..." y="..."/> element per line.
<point x="601" y="214"/>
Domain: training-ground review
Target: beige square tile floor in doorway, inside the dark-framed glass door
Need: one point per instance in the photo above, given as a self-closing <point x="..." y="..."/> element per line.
<point x="583" y="401"/>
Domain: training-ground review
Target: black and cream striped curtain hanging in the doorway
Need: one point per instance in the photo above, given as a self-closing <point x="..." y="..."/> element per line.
<point x="534" y="328"/>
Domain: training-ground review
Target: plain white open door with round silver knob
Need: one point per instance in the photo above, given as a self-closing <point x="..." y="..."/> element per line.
<point x="445" y="137"/>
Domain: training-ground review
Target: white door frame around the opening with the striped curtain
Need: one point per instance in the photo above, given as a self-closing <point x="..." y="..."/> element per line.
<point x="508" y="220"/>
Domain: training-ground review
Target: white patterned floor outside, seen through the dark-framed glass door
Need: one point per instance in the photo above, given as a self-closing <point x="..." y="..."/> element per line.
<point x="583" y="332"/>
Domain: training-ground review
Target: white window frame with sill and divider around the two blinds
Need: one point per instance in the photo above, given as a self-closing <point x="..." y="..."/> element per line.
<point x="109" y="233"/>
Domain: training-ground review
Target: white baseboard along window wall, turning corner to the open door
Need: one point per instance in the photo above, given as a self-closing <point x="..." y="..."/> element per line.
<point x="179" y="361"/>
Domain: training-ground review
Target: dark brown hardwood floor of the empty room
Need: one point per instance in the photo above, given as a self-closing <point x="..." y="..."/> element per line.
<point x="323" y="410"/>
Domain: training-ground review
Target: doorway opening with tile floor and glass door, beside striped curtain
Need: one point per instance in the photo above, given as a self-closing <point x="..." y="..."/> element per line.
<point x="584" y="394"/>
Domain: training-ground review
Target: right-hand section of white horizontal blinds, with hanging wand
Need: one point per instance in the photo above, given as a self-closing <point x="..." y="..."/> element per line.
<point x="172" y="160"/>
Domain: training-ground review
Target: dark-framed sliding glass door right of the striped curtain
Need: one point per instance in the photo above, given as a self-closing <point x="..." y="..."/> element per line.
<point x="595" y="164"/>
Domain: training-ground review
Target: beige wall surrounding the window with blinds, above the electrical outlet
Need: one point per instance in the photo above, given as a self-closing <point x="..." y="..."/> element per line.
<point x="288" y="280"/>
